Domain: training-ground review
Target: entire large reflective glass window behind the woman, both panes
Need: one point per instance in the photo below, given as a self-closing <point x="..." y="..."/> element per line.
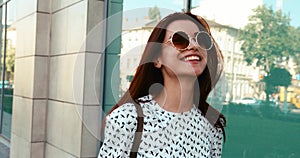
<point x="263" y="118"/>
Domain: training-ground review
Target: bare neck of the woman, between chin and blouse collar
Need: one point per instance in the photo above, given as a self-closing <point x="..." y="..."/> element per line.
<point x="177" y="95"/>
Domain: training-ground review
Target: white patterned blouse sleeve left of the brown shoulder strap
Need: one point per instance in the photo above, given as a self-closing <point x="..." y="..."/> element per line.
<point x="119" y="132"/>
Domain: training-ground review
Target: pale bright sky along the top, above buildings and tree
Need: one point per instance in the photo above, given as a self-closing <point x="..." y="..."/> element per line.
<point x="229" y="12"/>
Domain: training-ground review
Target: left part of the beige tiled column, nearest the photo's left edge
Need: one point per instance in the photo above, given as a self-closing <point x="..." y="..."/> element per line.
<point x="28" y="135"/>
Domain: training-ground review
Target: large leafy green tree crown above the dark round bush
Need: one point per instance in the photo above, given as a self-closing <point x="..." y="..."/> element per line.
<point x="266" y="38"/>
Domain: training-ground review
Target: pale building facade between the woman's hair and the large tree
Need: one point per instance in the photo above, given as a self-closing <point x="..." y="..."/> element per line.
<point x="241" y="79"/>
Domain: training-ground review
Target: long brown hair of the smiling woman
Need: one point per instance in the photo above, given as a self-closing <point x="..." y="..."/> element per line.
<point x="147" y="74"/>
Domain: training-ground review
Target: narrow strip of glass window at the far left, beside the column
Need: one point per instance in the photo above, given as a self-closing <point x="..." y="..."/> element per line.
<point x="8" y="50"/>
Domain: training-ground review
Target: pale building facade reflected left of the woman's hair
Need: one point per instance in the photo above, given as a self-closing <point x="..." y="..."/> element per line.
<point x="135" y="35"/>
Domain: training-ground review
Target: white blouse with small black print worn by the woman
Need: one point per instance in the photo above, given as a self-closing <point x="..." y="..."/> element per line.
<point x="165" y="134"/>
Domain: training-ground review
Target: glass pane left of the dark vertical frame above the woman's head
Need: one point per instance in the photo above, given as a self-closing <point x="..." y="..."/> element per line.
<point x="139" y="22"/>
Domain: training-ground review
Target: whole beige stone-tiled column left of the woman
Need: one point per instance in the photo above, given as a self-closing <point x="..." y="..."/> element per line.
<point x="57" y="78"/>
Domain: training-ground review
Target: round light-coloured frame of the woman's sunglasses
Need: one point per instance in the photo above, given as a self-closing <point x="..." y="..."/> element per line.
<point x="190" y="39"/>
